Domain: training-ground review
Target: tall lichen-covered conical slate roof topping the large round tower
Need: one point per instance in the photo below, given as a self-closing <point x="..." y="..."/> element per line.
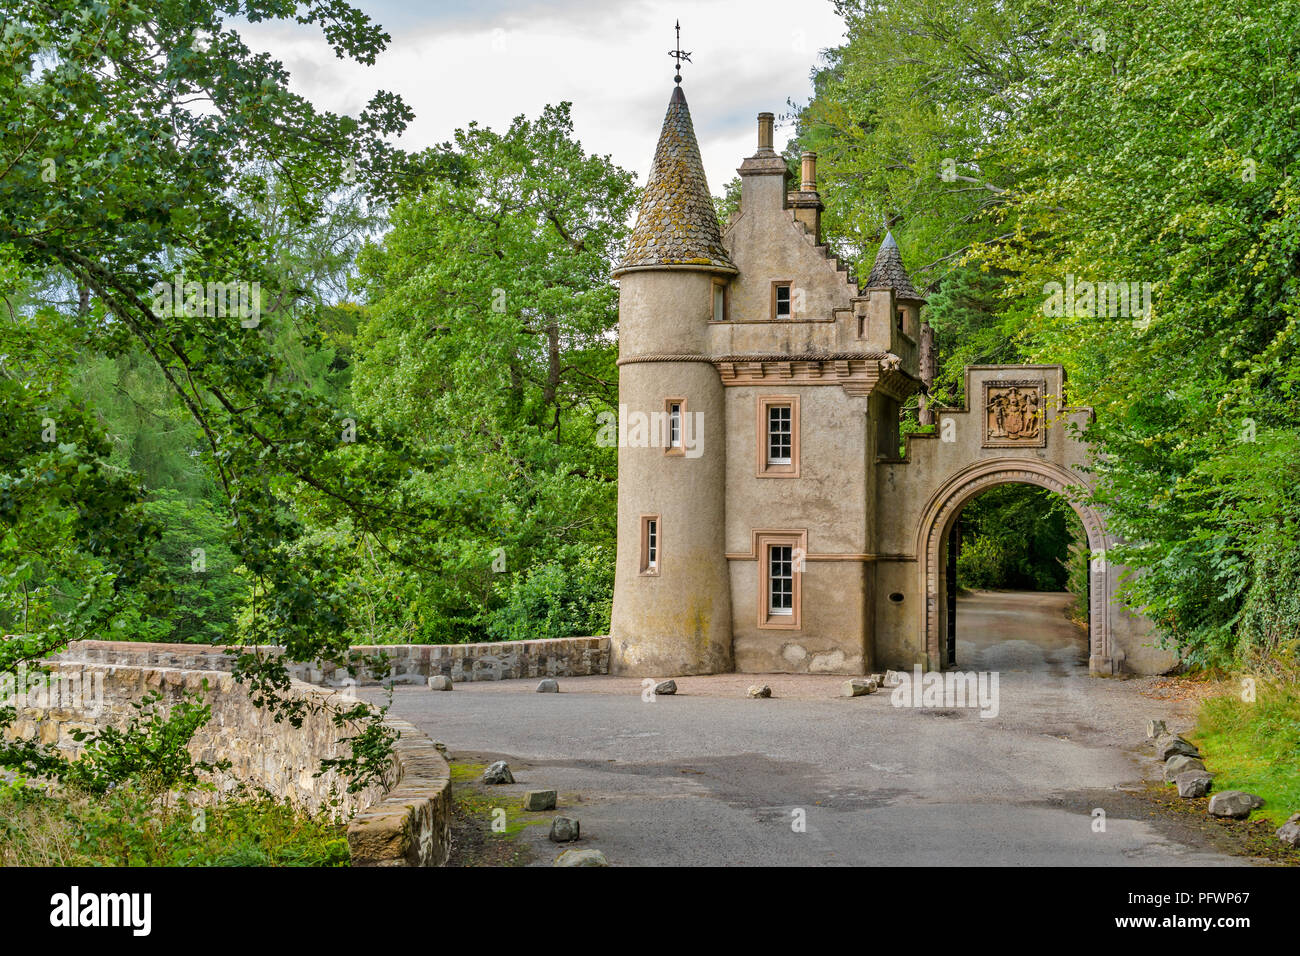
<point x="677" y="224"/>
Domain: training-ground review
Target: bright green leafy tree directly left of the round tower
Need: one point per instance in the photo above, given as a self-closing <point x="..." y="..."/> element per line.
<point x="491" y="340"/>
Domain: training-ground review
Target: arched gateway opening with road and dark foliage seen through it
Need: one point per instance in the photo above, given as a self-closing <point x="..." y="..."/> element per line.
<point x="1015" y="581"/>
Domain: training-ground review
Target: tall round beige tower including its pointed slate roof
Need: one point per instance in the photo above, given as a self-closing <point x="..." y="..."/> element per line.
<point x="673" y="591"/>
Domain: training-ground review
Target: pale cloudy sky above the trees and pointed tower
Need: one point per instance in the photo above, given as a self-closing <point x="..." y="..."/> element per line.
<point x="491" y="60"/>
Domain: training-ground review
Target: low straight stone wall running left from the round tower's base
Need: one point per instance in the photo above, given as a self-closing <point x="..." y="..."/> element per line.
<point x="562" y="657"/>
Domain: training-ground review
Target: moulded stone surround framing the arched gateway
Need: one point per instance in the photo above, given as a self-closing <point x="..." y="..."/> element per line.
<point x="939" y="552"/>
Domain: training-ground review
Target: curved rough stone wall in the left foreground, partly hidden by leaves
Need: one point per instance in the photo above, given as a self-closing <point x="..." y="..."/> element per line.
<point x="404" y="821"/>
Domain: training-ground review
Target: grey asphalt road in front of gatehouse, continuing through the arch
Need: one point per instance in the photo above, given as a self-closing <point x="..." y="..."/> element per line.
<point x="710" y="777"/>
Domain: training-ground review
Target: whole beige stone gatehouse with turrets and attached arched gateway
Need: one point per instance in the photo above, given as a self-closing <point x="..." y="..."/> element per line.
<point x="766" y="520"/>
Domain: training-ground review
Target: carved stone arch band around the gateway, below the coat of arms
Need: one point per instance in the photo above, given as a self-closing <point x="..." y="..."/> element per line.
<point x="967" y="485"/>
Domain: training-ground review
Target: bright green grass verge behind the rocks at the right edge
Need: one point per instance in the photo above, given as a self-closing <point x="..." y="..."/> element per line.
<point x="1255" y="746"/>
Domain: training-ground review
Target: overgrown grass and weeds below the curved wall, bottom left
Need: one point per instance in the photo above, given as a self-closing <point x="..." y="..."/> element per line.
<point x="131" y="829"/>
